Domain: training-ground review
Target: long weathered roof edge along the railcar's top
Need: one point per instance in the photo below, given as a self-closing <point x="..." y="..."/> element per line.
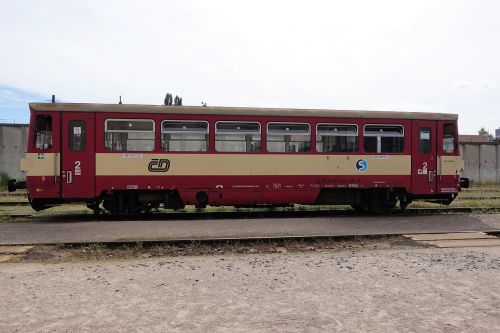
<point x="239" y="111"/>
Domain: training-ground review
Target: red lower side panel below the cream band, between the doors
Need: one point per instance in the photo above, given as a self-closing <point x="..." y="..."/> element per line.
<point x="249" y="190"/>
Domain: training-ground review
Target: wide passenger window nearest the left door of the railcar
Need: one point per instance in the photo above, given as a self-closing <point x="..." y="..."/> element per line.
<point x="129" y="135"/>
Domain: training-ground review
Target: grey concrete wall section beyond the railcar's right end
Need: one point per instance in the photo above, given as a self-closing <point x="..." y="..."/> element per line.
<point x="482" y="161"/>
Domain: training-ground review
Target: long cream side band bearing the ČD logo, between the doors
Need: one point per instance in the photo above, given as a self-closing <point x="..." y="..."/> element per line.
<point x="116" y="164"/>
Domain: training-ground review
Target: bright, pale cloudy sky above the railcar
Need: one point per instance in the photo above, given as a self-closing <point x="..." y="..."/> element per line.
<point x="422" y="55"/>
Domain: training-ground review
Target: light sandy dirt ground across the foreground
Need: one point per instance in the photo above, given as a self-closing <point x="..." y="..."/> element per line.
<point x="395" y="289"/>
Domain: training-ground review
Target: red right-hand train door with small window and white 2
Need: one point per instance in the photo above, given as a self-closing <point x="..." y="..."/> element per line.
<point x="424" y="157"/>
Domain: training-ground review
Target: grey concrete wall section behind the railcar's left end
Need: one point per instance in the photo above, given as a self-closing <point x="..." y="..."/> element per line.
<point x="13" y="142"/>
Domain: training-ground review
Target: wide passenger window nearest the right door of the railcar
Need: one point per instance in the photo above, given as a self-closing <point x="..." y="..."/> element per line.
<point x="383" y="138"/>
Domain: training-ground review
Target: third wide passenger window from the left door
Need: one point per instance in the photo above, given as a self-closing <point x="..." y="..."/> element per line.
<point x="232" y="136"/>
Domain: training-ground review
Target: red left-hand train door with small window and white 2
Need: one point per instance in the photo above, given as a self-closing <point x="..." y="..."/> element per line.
<point x="78" y="155"/>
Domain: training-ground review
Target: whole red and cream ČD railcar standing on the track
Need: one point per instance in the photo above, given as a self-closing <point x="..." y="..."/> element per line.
<point x="132" y="158"/>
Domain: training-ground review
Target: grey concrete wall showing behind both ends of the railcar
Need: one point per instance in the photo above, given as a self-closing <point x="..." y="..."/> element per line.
<point x="481" y="159"/>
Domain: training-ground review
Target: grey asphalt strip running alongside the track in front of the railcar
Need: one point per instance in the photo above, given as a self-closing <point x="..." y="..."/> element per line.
<point x="48" y="232"/>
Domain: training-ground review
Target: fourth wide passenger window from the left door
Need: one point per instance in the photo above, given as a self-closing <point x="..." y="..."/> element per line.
<point x="288" y="137"/>
